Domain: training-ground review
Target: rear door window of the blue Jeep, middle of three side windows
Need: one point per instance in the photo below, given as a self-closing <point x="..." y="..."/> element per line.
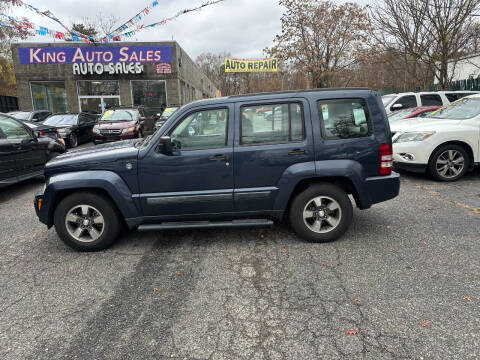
<point x="272" y="124"/>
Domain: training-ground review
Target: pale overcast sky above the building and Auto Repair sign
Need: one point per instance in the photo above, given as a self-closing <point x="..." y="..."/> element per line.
<point x="241" y="27"/>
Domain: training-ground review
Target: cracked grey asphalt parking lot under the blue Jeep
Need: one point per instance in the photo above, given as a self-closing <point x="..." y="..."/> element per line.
<point x="403" y="283"/>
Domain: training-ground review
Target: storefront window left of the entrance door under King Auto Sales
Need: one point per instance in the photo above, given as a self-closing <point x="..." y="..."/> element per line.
<point x="49" y="95"/>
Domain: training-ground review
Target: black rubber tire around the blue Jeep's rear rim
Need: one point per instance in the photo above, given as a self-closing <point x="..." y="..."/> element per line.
<point x="305" y="198"/>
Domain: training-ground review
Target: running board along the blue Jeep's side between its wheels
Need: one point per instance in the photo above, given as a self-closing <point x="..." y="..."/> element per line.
<point x="205" y="224"/>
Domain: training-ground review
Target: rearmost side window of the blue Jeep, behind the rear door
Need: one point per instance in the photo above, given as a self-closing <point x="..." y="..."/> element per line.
<point x="344" y="118"/>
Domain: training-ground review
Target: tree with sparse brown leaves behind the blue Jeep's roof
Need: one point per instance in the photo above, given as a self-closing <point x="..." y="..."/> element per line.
<point x="321" y="38"/>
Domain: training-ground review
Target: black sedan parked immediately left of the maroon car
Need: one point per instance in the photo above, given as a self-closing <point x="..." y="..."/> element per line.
<point x="73" y="128"/>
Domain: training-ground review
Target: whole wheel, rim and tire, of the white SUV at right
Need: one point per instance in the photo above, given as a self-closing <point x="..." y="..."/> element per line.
<point x="449" y="163"/>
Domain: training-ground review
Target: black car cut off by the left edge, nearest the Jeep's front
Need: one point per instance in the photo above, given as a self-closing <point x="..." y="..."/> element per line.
<point x="23" y="154"/>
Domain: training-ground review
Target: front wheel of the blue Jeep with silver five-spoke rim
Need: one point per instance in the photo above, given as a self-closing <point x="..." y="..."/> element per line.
<point x="87" y="221"/>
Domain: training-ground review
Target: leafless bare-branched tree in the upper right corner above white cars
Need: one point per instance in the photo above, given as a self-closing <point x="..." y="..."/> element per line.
<point x="428" y="34"/>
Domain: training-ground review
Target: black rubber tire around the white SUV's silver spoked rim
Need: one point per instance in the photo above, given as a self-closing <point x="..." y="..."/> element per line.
<point x="439" y="155"/>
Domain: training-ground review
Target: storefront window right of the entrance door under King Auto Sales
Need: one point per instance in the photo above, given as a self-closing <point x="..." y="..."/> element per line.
<point x="150" y="93"/>
